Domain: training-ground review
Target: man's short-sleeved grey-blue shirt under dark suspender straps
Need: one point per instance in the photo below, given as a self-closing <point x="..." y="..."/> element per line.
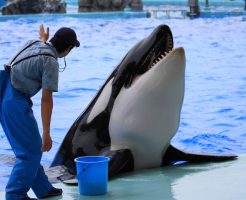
<point x="32" y="74"/>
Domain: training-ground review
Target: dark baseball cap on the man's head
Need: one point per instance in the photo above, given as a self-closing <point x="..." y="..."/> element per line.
<point x="68" y="36"/>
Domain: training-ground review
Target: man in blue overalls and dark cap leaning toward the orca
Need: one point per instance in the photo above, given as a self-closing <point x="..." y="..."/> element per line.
<point x="35" y="67"/>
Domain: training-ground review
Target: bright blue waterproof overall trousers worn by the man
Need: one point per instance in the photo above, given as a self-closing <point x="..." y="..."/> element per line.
<point x="21" y="129"/>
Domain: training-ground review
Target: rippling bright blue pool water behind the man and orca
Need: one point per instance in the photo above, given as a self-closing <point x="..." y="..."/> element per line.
<point x="213" y="116"/>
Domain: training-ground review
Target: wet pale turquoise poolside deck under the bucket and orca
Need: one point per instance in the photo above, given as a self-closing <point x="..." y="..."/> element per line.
<point x="213" y="181"/>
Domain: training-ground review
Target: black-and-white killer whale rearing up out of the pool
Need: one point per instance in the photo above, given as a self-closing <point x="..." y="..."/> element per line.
<point x="136" y="113"/>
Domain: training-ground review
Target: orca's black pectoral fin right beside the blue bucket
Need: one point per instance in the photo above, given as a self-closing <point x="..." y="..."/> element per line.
<point x="121" y="161"/>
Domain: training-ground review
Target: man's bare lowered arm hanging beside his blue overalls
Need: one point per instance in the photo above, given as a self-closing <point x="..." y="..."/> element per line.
<point x="46" y="112"/>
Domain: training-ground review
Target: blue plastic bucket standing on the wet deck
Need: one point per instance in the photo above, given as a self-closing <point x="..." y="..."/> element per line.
<point x="92" y="174"/>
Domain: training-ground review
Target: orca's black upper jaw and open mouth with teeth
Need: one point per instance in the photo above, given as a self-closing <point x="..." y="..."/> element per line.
<point x="143" y="56"/>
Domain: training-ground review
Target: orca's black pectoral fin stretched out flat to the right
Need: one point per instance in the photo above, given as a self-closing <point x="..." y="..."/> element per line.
<point x="173" y="155"/>
